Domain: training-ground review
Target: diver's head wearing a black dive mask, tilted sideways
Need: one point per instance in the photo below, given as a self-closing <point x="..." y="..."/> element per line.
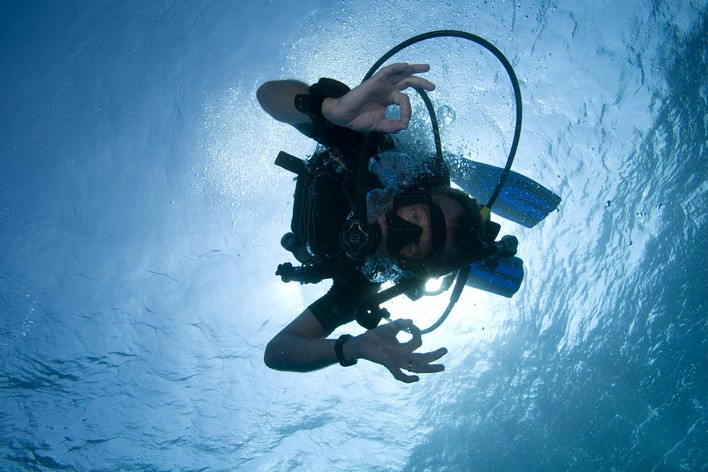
<point x="425" y="230"/>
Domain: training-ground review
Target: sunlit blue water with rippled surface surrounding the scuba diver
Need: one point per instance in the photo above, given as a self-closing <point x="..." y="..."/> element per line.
<point x="140" y="216"/>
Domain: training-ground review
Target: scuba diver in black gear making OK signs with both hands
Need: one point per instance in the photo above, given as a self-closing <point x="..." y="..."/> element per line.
<point x="425" y="229"/>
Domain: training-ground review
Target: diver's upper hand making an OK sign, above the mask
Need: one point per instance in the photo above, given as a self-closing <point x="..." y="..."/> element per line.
<point x="362" y="108"/>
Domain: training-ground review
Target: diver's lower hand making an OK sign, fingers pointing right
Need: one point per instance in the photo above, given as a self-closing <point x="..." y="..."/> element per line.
<point x="380" y="345"/>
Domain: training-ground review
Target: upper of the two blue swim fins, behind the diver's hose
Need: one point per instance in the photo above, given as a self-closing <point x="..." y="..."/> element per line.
<point x="521" y="200"/>
